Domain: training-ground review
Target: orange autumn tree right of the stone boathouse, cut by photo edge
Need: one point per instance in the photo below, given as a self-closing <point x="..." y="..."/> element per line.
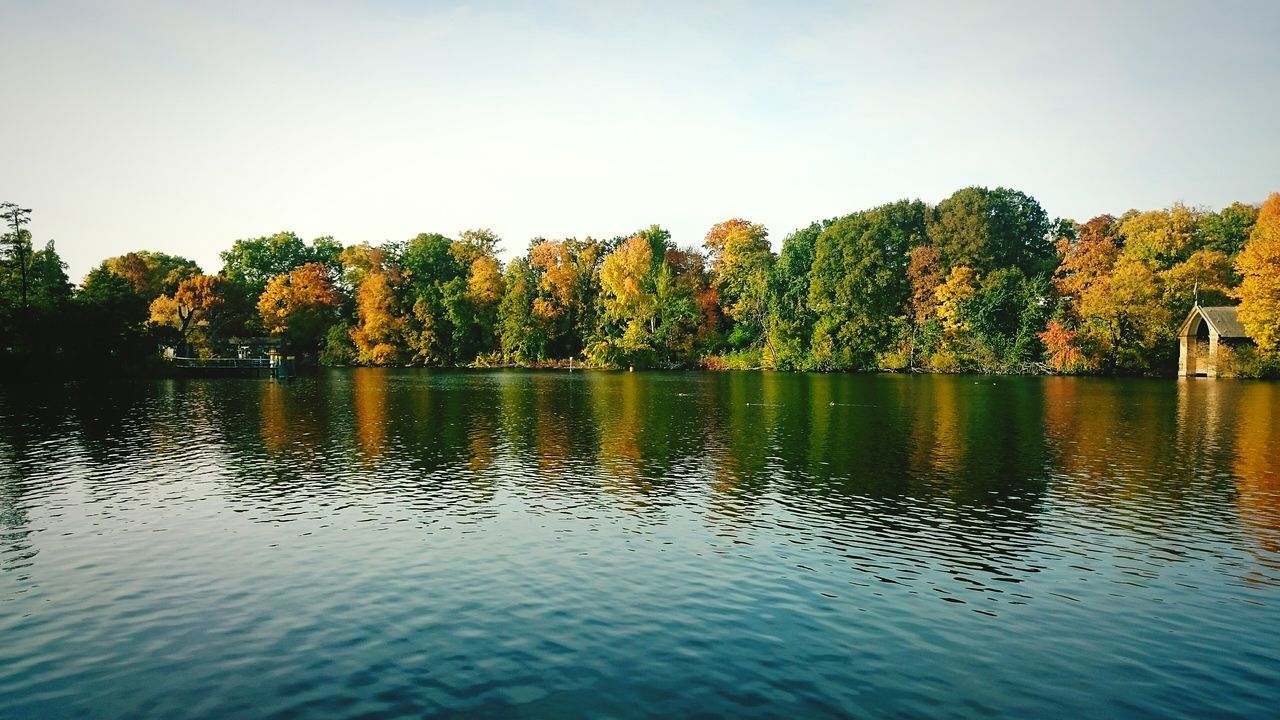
<point x="1259" y="265"/>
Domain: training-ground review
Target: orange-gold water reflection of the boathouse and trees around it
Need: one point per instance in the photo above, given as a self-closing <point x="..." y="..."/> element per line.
<point x="1158" y="461"/>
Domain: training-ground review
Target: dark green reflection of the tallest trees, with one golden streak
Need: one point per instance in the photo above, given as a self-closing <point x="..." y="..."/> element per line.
<point x="929" y="475"/>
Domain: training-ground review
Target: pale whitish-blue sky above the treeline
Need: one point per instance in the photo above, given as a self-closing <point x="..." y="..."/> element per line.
<point x="185" y="126"/>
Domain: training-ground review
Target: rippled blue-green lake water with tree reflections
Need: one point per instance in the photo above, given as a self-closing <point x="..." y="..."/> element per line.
<point x="399" y="544"/>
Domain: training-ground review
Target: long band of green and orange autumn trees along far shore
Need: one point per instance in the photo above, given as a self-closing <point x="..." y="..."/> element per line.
<point x="985" y="281"/>
